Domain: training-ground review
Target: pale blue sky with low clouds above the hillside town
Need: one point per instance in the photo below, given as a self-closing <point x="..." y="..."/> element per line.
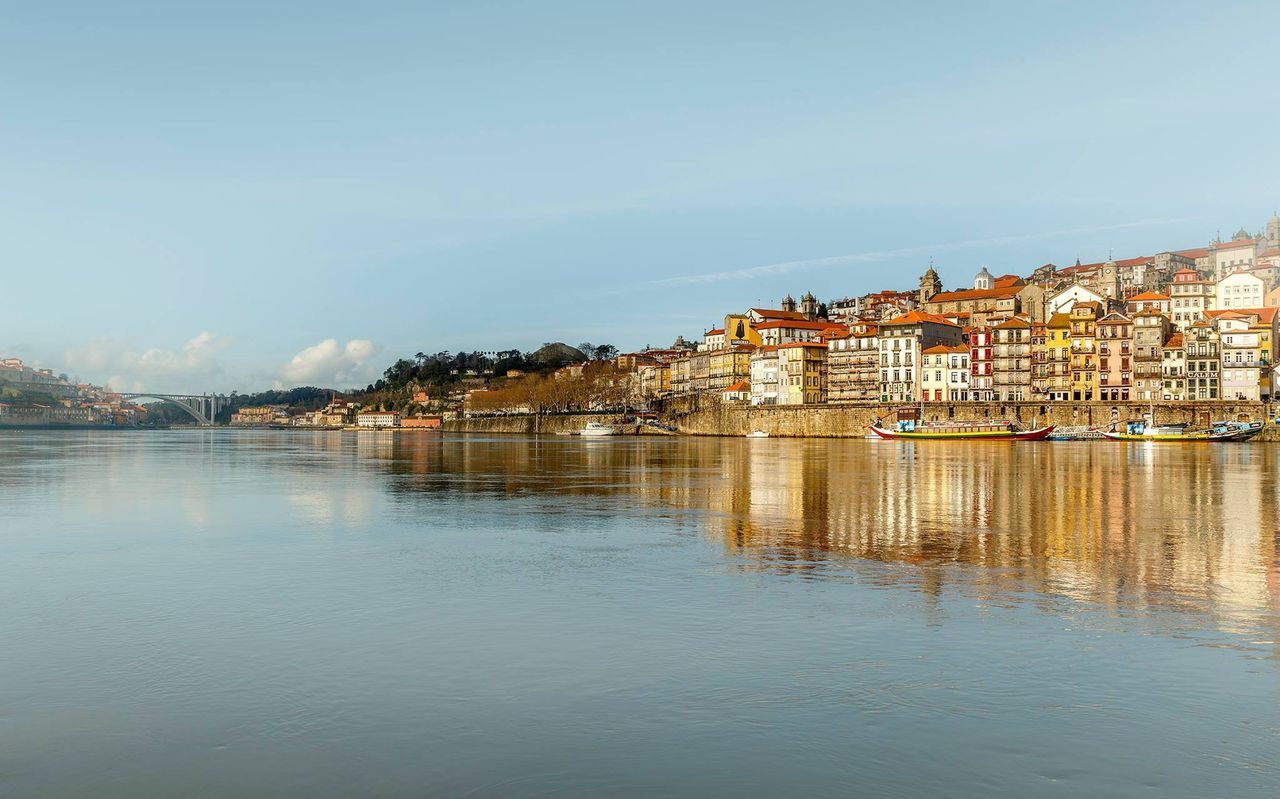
<point x="237" y="194"/>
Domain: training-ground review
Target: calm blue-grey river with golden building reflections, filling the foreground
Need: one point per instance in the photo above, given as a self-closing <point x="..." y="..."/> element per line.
<point x="275" y="614"/>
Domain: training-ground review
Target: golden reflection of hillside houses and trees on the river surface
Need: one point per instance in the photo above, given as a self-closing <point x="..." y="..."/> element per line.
<point x="1176" y="528"/>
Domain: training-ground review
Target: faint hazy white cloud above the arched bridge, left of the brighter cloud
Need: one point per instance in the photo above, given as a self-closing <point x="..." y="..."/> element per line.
<point x="189" y="369"/>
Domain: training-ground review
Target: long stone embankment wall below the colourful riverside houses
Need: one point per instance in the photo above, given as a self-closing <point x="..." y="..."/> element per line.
<point x="706" y="417"/>
